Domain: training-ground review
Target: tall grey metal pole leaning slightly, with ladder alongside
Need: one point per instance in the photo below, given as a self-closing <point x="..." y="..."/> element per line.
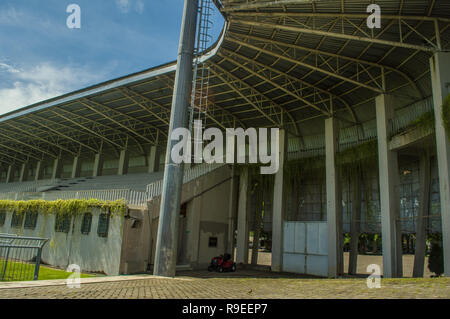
<point x="166" y="245"/>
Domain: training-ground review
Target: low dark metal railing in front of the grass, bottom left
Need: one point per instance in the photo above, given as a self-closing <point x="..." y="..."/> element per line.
<point x="20" y="257"/>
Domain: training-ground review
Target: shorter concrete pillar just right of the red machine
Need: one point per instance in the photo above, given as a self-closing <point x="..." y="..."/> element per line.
<point x="243" y="216"/>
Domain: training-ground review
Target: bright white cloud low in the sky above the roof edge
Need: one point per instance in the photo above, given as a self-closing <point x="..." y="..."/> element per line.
<point x="40" y="83"/>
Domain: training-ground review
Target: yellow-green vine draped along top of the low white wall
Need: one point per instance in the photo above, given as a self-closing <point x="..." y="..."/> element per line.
<point x="62" y="207"/>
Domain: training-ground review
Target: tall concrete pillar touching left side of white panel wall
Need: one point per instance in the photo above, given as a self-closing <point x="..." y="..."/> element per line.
<point x="278" y="207"/>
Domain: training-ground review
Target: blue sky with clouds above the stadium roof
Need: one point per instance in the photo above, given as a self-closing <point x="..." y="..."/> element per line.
<point x="41" y="58"/>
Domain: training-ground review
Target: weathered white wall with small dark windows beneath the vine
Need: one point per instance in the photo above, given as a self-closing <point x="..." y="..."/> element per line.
<point x="91" y="252"/>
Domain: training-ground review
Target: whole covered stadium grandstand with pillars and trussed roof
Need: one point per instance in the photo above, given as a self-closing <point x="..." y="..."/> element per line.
<point x="366" y="151"/>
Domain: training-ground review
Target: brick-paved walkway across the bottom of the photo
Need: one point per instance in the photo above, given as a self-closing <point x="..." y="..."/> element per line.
<point x="246" y="284"/>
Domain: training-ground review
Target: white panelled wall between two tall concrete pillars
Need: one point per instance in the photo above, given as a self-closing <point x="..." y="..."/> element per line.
<point x="305" y="249"/>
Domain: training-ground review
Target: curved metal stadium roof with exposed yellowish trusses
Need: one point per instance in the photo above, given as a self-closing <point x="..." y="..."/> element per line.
<point x="279" y="63"/>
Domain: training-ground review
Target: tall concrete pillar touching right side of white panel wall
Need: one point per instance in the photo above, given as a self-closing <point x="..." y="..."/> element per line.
<point x="334" y="201"/>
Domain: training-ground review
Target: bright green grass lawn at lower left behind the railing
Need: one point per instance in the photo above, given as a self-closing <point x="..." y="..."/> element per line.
<point x="25" y="272"/>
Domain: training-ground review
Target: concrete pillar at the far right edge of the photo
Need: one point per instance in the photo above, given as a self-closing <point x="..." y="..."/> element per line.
<point x="440" y="78"/>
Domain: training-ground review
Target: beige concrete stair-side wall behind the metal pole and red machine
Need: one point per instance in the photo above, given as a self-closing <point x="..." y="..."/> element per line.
<point x="207" y="200"/>
